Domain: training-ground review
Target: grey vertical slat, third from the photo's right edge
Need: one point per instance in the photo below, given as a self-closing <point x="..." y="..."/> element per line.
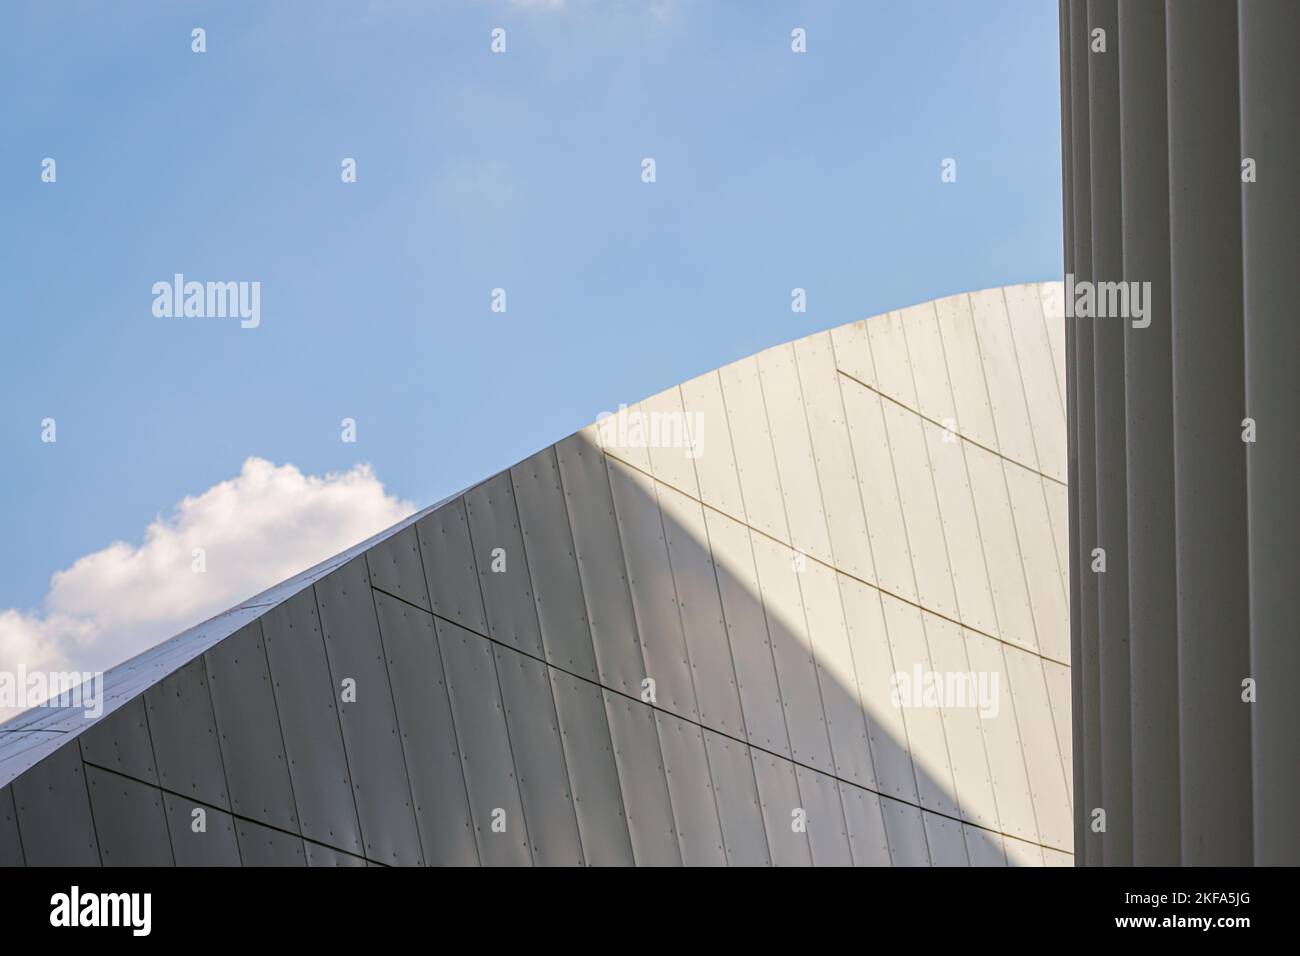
<point x="1150" y="453"/>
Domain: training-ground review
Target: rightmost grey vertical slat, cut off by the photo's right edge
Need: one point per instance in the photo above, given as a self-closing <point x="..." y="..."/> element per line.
<point x="1271" y="246"/>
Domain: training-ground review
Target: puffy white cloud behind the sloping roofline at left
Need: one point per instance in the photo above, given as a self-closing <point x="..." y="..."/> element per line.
<point x="258" y="529"/>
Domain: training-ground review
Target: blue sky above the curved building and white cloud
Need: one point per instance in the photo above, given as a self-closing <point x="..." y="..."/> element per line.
<point x="475" y="171"/>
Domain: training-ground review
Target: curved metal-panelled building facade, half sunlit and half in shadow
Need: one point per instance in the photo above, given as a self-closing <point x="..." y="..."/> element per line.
<point x="695" y="634"/>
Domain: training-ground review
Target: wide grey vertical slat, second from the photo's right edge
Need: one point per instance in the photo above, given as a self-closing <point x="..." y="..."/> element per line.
<point x="1210" y="458"/>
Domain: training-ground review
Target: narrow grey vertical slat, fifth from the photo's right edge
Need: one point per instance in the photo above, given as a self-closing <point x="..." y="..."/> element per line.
<point x="1085" y="490"/>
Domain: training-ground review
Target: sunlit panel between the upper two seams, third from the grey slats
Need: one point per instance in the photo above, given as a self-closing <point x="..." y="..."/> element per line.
<point x="1002" y="548"/>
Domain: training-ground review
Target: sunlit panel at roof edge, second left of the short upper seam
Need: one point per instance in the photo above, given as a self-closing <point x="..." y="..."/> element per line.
<point x="788" y="422"/>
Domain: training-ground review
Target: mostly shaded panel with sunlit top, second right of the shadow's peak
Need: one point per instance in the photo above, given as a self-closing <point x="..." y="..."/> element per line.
<point x="701" y="613"/>
